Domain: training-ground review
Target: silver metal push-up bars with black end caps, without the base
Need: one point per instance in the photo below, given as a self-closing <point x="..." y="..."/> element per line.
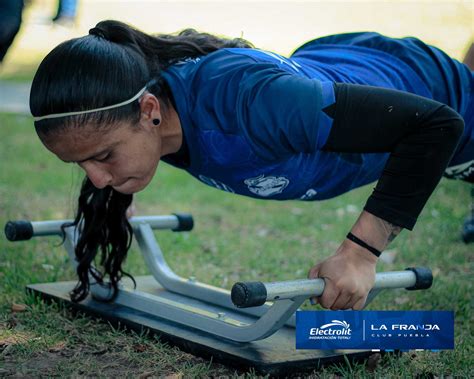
<point x="245" y="298"/>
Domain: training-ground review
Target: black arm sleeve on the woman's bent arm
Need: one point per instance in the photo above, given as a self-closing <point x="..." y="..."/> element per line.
<point x="421" y="135"/>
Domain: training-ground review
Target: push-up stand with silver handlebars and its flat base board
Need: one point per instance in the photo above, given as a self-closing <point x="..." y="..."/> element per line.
<point x="251" y="326"/>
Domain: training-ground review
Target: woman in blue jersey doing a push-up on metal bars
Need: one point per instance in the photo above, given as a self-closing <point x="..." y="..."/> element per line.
<point x="341" y="112"/>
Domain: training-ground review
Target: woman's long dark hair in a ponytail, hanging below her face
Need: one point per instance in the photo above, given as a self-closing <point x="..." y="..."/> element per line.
<point x="106" y="67"/>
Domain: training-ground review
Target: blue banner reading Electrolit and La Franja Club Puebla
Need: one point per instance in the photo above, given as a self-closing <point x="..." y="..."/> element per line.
<point x="384" y="330"/>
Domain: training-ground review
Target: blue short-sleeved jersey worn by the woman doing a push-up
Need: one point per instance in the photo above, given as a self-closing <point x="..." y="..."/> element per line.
<point x="254" y="124"/>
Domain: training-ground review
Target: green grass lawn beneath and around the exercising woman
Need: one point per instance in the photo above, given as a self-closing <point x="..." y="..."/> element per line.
<point x="234" y="239"/>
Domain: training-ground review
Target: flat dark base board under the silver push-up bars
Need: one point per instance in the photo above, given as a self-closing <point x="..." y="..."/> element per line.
<point x="275" y="355"/>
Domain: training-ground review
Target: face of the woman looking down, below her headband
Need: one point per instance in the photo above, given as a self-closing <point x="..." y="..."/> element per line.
<point x="124" y="157"/>
